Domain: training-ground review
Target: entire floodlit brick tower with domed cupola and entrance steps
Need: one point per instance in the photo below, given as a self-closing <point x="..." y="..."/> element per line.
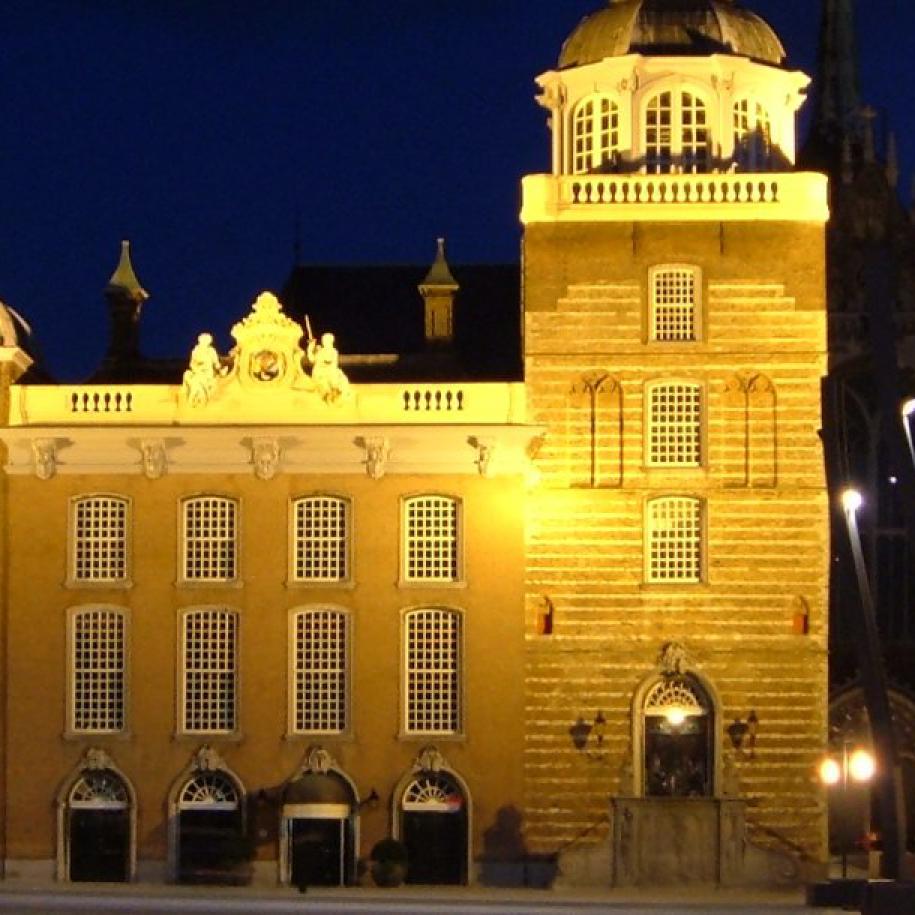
<point x="677" y="541"/>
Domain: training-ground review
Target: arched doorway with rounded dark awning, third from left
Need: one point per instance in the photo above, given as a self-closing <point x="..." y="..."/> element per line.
<point x="318" y="828"/>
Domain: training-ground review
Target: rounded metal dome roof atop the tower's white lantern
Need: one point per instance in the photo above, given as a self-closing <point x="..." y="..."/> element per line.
<point x="674" y="27"/>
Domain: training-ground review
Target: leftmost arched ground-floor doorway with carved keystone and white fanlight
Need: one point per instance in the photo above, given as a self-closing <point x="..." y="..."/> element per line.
<point x="96" y="824"/>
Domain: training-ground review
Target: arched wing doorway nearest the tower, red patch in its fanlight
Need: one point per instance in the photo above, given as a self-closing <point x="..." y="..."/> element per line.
<point x="434" y="823"/>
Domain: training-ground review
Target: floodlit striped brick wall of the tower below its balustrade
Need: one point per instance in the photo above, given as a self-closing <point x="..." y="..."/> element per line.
<point x="763" y="314"/>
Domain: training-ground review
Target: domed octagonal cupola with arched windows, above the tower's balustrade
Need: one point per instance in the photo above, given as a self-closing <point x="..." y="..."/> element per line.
<point x="672" y="86"/>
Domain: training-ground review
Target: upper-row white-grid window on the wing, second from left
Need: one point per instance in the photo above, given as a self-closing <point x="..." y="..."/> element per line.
<point x="210" y="539"/>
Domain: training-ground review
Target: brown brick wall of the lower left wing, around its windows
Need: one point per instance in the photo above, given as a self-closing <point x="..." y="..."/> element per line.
<point x="487" y="757"/>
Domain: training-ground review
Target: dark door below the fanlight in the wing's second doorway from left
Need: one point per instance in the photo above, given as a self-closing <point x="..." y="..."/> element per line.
<point x="209" y="846"/>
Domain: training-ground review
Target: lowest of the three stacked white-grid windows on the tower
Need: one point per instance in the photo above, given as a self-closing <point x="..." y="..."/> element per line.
<point x="674" y="538"/>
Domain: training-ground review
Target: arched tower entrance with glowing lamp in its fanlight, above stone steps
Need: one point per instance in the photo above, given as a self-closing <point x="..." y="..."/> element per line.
<point x="678" y="729"/>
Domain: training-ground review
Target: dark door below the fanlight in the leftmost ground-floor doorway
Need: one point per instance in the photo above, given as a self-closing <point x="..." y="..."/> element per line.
<point x="99" y="845"/>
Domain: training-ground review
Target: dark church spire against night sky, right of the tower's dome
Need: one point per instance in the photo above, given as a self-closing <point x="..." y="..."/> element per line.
<point x="837" y="103"/>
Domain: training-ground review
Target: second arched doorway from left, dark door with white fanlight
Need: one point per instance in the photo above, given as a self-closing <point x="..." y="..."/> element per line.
<point x="210" y="829"/>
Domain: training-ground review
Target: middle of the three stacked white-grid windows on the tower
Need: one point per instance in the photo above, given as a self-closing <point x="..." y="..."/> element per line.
<point x="674" y="424"/>
